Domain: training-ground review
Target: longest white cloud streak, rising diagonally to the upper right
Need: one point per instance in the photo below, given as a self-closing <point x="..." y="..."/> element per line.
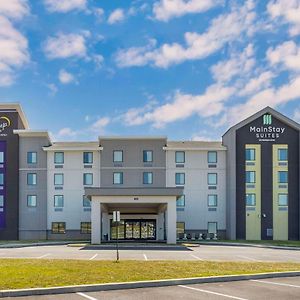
<point x="223" y="29"/>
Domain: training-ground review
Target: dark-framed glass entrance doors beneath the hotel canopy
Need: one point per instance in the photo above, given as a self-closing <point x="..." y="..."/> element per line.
<point x="134" y="230"/>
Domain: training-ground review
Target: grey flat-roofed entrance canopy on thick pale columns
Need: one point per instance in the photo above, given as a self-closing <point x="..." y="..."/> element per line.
<point x="158" y="204"/>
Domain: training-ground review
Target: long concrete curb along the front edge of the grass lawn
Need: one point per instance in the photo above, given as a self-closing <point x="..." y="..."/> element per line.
<point x="141" y="284"/>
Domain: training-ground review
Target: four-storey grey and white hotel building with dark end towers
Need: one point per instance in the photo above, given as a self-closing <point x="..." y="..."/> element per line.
<point x="245" y="187"/>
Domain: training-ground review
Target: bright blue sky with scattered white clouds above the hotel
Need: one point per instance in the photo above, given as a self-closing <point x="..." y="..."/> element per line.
<point x="186" y="69"/>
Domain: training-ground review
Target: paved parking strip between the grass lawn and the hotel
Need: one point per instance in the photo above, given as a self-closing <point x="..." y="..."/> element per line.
<point x="203" y="252"/>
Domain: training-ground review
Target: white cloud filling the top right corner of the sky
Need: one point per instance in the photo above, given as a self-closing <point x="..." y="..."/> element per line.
<point x="289" y="11"/>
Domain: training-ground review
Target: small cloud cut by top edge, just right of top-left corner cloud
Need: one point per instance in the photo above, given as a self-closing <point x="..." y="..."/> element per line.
<point x="64" y="6"/>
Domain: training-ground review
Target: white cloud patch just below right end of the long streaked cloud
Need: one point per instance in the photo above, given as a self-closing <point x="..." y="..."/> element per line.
<point x="238" y="64"/>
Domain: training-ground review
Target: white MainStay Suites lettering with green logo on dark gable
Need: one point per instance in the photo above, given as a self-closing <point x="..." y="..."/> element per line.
<point x="267" y="132"/>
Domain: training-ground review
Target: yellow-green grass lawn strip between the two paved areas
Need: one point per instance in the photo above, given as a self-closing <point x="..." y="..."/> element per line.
<point x="29" y="273"/>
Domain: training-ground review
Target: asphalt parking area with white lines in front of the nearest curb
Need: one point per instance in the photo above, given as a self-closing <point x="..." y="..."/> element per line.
<point x="279" y="288"/>
